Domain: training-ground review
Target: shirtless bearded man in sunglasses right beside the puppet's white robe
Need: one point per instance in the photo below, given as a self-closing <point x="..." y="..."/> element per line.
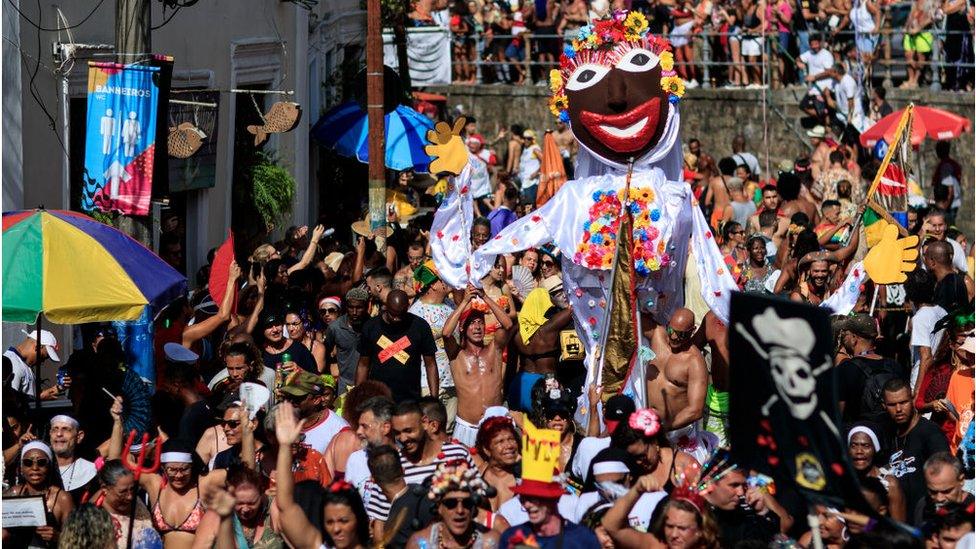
<point x="677" y="379"/>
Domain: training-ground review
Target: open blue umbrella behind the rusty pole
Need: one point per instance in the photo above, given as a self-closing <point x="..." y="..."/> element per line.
<point x="344" y="129"/>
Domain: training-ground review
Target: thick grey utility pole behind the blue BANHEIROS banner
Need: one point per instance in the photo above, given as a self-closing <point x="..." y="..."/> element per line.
<point x="133" y="30"/>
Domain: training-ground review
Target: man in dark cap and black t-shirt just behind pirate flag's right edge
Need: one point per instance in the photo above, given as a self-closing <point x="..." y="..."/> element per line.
<point x="861" y="377"/>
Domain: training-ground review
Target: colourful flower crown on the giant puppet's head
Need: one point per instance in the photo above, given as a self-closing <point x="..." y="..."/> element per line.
<point x="604" y="42"/>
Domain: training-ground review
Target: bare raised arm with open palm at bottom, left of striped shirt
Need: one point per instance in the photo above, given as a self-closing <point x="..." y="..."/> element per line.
<point x="294" y="524"/>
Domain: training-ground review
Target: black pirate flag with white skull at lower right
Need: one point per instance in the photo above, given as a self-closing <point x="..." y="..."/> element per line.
<point x="783" y="409"/>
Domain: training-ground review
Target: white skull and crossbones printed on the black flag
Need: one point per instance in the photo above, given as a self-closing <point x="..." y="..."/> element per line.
<point x="786" y="344"/>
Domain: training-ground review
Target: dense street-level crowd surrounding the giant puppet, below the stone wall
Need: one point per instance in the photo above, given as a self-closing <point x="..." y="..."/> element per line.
<point x="395" y="408"/>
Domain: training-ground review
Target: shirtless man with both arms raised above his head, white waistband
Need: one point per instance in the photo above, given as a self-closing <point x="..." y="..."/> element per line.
<point x="477" y="368"/>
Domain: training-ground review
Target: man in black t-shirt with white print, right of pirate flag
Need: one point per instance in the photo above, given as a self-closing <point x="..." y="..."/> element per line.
<point x="912" y="440"/>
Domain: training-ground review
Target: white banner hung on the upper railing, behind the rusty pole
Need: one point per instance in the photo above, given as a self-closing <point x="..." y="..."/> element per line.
<point x="428" y="53"/>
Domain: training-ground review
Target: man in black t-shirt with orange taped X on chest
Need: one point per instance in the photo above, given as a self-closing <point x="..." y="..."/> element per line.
<point x="392" y="347"/>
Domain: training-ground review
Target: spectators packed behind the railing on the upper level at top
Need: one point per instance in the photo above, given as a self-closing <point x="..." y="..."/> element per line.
<point x="517" y="42"/>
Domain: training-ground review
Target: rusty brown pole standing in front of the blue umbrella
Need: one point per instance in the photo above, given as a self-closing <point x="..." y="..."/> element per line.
<point x="375" y="119"/>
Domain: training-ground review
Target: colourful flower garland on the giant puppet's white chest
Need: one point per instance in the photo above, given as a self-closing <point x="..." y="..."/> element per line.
<point x="600" y="233"/>
